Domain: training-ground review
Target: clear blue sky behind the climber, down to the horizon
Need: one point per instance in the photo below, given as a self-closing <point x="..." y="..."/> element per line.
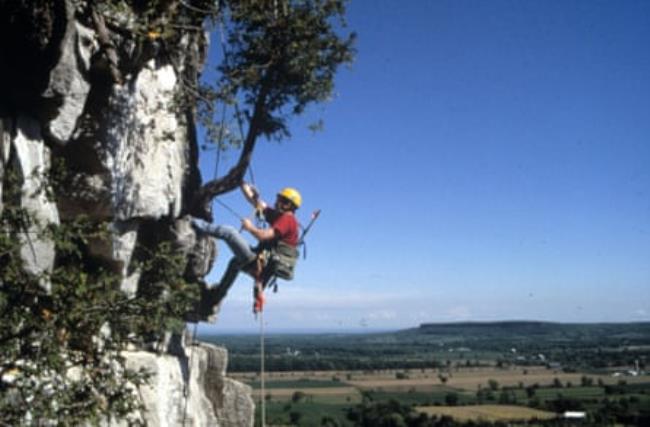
<point x="481" y="160"/>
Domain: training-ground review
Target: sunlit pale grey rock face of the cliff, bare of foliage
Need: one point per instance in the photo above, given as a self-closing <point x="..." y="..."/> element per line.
<point x="131" y="155"/>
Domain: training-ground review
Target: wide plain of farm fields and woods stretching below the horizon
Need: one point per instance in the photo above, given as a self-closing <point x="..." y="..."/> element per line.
<point x="459" y="373"/>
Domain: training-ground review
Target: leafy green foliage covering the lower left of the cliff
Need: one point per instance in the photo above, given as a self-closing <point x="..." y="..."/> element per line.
<point x="61" y="348"/>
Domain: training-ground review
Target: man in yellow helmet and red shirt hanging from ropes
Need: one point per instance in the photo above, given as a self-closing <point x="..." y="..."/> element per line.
<point x="283" y="229"/>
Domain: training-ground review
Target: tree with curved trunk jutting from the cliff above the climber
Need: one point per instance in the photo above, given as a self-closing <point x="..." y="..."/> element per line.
<point x="278" y="62"/>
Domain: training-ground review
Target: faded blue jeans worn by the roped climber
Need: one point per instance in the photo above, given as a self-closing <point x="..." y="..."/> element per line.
<point x="243" y="255"/>
